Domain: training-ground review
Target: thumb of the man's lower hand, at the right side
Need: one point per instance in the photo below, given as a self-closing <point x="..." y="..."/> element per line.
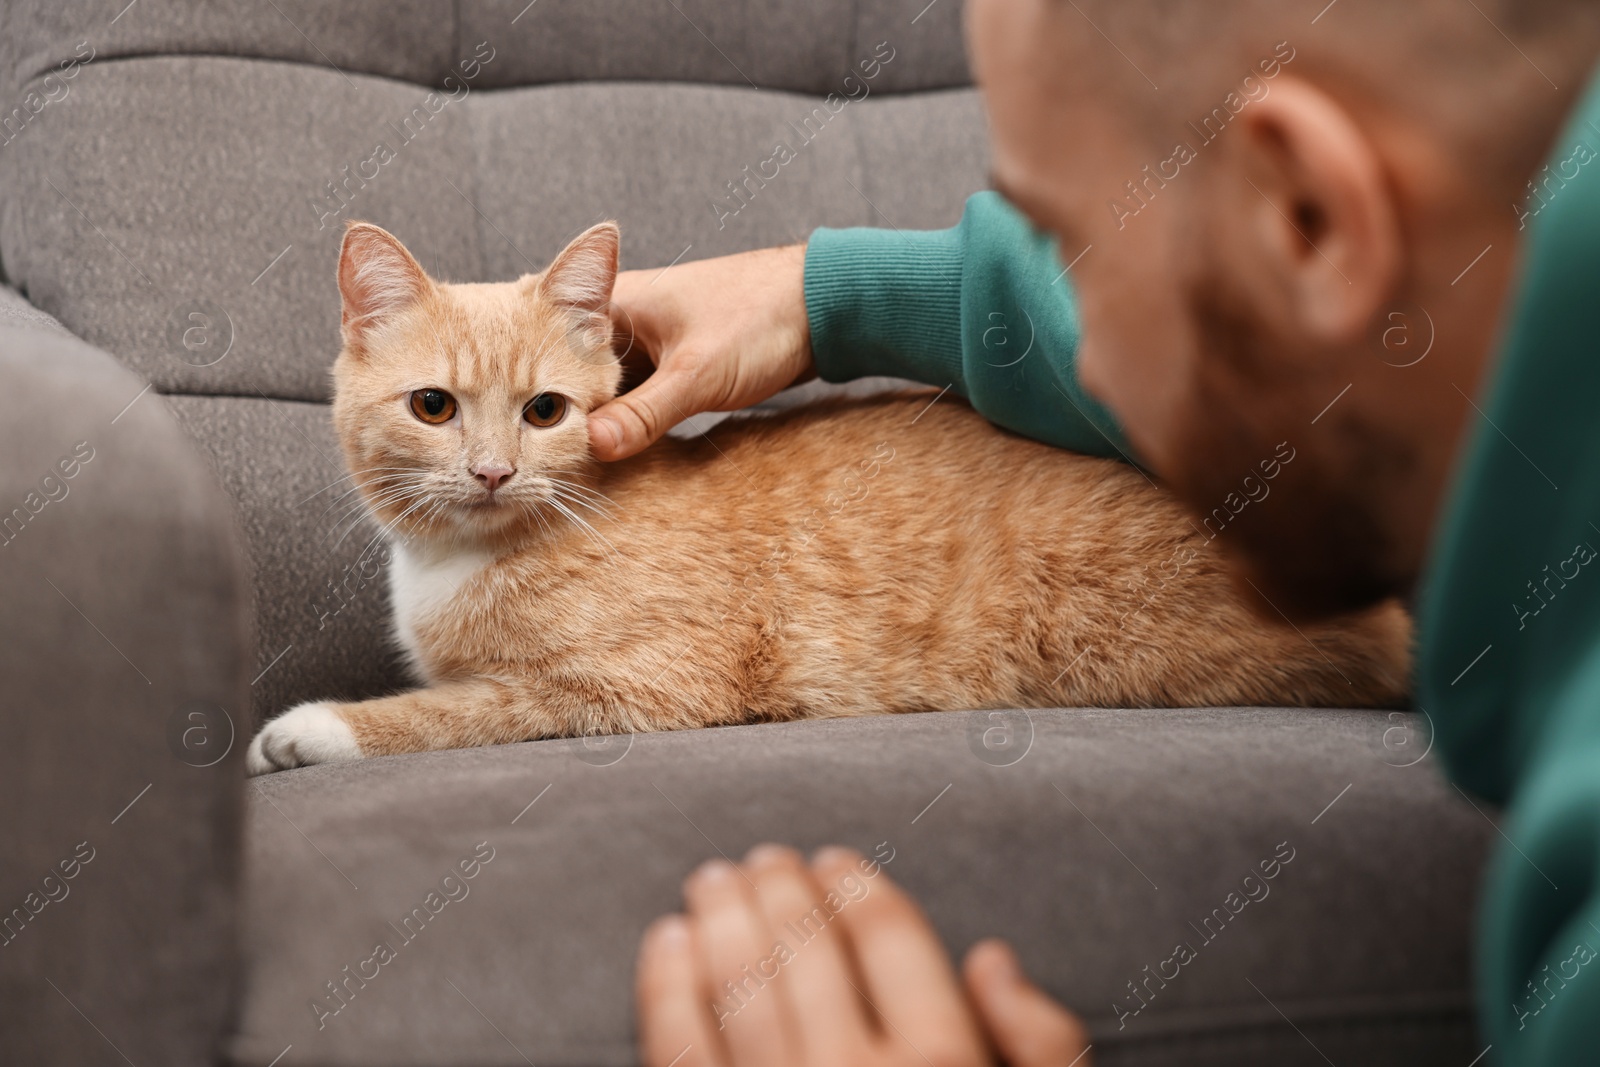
<point x="1028" y="1028"/>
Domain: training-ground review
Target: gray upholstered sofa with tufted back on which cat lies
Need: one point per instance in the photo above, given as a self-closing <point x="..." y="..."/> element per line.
<point x="174" y="182"/>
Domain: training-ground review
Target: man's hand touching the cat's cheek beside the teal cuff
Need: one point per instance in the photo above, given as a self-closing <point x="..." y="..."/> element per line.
<point x="721" y="334"/>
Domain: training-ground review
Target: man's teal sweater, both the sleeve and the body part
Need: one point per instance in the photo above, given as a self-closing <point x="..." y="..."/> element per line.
<point x="1510" y="618"/>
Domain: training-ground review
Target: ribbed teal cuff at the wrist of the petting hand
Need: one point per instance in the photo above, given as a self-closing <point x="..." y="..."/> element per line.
<point x="886" y="303"/>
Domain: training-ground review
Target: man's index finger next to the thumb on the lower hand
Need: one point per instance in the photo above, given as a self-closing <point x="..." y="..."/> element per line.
<point x="908" y="977"/>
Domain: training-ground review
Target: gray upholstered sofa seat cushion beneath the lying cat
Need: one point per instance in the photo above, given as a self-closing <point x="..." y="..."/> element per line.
<point x="1095" y="852"/>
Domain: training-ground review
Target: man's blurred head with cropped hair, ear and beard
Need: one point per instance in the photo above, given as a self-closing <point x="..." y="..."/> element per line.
<point x="1295" y="226"/>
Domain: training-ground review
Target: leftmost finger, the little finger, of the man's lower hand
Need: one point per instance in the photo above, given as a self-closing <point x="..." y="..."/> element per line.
<point x="674" y="1021"/>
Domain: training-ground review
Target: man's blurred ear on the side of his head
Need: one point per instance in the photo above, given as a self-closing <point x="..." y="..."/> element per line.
<point x="1327" y="214"/>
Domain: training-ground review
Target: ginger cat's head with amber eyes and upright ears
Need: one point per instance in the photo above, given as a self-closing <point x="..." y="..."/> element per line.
<point x="463" y="409"/>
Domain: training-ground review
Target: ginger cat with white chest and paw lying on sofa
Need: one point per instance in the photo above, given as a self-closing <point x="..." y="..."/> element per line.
<point x="844" y="559"/>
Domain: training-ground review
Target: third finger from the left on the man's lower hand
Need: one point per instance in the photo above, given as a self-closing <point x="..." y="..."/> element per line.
<point x="817" y="969"/>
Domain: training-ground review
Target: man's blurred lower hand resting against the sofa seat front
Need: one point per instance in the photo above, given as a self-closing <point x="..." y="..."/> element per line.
<point x="785" y="965"/>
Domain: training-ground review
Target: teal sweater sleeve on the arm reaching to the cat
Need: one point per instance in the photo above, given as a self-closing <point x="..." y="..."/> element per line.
<point x="983" y="308"/>
